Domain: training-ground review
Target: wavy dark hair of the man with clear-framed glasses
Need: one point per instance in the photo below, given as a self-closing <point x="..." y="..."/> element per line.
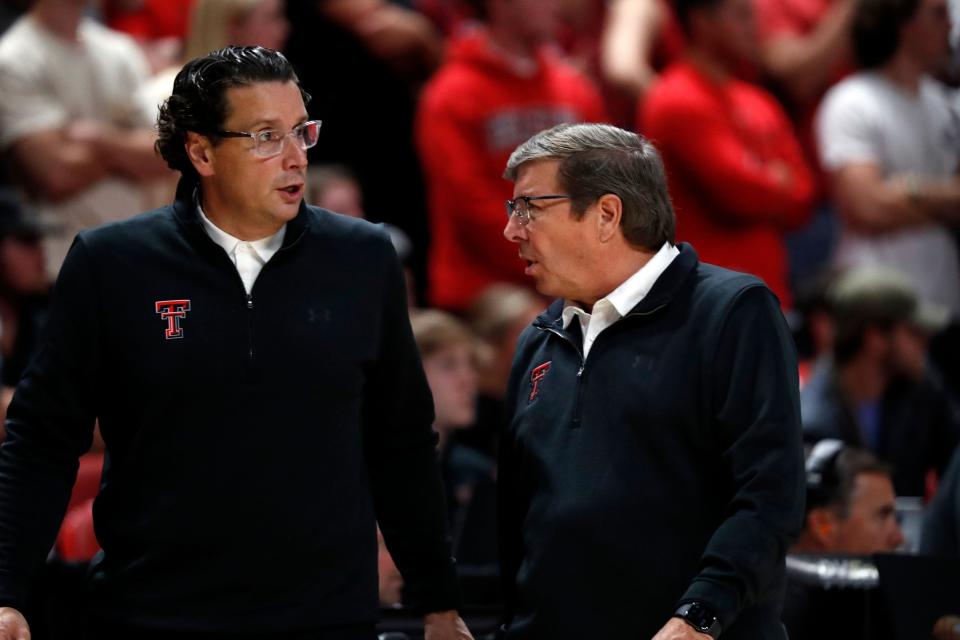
<point x="199" y="99"/>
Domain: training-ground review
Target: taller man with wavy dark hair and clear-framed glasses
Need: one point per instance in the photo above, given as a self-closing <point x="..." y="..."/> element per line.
<point x="257" y="387"/>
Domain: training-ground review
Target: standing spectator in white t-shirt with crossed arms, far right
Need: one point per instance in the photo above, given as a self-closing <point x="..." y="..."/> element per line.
<point x="889" y="137"/>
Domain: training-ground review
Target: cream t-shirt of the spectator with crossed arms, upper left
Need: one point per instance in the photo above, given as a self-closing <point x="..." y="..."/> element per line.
<point x="47" y="83"/>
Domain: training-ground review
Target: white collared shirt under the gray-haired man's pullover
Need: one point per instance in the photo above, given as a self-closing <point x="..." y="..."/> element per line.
<point x="621" y="300"/>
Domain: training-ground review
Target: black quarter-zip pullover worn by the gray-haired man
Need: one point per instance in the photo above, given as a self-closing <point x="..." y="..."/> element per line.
<point x="664" y="469"/>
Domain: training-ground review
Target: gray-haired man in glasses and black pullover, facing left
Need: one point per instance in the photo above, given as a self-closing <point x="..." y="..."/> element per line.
<point x="652" y="473"/>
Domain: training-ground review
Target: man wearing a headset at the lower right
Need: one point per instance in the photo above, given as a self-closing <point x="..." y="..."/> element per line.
<point x="851" y="509"/>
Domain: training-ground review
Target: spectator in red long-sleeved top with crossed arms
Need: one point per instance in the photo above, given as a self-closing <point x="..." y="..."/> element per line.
<point x="737" y="174"/>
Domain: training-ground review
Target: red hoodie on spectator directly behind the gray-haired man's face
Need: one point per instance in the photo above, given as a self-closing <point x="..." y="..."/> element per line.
<point x="472" y="115"/>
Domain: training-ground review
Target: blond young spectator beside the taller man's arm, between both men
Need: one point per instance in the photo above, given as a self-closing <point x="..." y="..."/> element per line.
<point x="448" y="350"/>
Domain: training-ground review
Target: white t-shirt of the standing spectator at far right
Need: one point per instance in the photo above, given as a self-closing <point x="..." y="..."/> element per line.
<point x="868" y="118"/>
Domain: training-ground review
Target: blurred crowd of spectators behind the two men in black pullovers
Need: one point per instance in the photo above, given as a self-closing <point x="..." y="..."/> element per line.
<point x="813" y="143"/>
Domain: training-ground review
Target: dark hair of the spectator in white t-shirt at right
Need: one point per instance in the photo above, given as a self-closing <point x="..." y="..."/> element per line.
<point x="876" y="29"/>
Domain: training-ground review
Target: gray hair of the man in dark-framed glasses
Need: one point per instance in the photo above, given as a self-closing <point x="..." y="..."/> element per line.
<point x="599" y="159"/>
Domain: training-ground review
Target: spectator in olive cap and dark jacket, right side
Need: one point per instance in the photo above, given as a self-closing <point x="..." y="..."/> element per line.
<point x="877" y="391"/>
